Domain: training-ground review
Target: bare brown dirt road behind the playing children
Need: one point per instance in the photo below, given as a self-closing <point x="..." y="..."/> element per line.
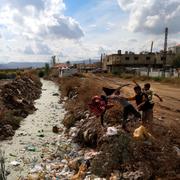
<point x="167" y="112"/>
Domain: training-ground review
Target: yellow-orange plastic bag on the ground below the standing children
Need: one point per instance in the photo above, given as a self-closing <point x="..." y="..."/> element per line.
<point x="141" y="133"/>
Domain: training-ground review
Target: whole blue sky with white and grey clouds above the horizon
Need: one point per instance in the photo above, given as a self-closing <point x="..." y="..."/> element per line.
<point x="34" y="30"/>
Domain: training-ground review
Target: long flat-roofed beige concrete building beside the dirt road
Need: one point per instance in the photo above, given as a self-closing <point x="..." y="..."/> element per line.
<point x="115" y="62"/>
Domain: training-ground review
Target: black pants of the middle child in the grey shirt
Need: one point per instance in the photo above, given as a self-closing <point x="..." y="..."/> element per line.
<point x="129" y="110"/>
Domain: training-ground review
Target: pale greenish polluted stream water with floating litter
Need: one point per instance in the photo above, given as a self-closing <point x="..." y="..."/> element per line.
<point x="34" y="140"/>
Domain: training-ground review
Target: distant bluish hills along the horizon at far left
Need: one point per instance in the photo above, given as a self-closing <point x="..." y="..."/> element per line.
<point x="21" y="65"/>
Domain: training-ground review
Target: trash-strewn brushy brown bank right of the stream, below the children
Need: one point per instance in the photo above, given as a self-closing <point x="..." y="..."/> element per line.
<point x="116" y="154"/>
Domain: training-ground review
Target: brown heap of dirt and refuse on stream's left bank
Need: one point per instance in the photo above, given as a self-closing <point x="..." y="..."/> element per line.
<point x="17" y="99"/>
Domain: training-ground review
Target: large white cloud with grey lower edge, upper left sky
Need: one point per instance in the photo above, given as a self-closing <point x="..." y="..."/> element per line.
<point x="39" y="19"/>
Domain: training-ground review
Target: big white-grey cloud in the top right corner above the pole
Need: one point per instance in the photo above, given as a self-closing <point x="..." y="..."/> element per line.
<point x="152" y="16"/>
